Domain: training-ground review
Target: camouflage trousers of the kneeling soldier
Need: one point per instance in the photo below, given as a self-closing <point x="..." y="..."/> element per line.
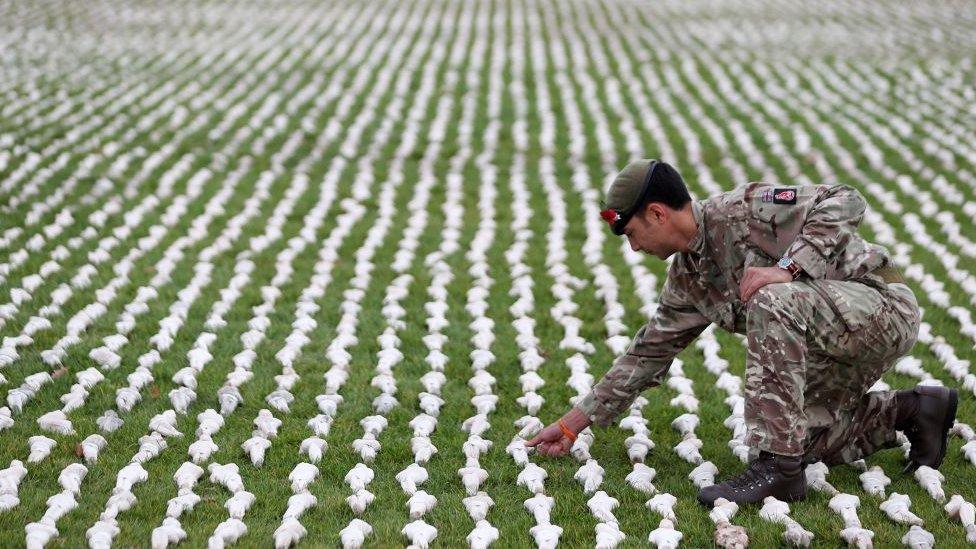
<point x="814" y="349"/>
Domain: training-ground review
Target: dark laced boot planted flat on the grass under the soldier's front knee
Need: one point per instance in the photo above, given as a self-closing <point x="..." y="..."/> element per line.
<point x="769" y="475"/>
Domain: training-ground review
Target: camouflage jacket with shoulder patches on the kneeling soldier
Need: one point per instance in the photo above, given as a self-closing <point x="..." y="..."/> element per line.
<point x="753" y="225"/>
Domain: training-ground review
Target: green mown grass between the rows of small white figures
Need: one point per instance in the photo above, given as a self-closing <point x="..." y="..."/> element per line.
<point x="602" y="42"/>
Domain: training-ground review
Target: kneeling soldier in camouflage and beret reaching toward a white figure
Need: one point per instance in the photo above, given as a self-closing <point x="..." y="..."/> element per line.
<point x="825" y="315"/>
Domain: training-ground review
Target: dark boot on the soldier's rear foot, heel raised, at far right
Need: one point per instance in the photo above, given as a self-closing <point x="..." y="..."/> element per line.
<point x="925" y="415"/>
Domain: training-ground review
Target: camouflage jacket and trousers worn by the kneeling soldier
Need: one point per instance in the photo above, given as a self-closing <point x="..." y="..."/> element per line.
<point x="815" y="345"/>
